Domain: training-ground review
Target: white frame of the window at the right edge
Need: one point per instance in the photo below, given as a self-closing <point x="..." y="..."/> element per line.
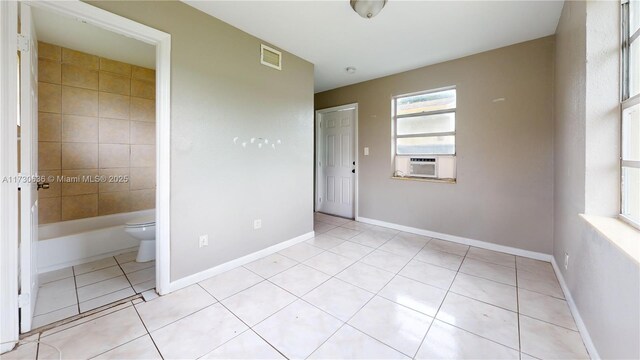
<point x="626" y="101"/>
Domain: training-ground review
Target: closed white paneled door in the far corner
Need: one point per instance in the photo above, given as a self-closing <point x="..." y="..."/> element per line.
<point x="336" y="162"/>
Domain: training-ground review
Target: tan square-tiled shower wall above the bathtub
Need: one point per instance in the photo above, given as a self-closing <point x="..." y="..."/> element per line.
<point x="96" y="117"/>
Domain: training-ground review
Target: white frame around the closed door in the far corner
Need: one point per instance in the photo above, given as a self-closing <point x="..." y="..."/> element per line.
<point x="317" y="148"/>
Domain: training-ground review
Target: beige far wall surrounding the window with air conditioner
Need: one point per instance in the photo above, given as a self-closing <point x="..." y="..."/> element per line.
<point x="503" y="193"/>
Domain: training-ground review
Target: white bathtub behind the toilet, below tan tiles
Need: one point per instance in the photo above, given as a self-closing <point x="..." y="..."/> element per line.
<point x="74" y="242"/>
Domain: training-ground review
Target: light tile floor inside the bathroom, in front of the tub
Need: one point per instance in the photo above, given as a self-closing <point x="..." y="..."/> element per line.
<point x="76" y="289"/>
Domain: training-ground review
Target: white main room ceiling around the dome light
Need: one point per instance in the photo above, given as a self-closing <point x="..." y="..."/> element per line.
<point x="404" y="36"/>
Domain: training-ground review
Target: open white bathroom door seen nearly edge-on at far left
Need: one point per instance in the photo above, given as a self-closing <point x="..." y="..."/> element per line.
<point x="28" y="47"/>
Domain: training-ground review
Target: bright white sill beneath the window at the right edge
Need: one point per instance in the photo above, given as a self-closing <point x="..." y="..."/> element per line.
<point x="621" y="234"/>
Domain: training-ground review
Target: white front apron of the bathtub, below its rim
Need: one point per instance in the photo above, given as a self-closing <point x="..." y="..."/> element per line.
<point x="61" y="252"/>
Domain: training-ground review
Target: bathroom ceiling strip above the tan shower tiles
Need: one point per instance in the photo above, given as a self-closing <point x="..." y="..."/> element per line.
<point x="73" y="34"/>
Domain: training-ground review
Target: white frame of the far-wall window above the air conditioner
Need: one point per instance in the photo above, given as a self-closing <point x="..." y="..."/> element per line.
<point x="395" y="117"/>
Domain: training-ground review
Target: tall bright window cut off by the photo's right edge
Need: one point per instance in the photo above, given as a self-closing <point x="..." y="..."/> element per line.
<point x="630" y="147"/>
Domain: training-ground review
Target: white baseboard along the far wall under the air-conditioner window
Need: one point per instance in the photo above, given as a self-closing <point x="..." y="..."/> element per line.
<point x="461" y="240"/>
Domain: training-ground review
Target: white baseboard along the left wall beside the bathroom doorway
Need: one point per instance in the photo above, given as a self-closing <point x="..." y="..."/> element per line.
<point x="203" y="275"/>
